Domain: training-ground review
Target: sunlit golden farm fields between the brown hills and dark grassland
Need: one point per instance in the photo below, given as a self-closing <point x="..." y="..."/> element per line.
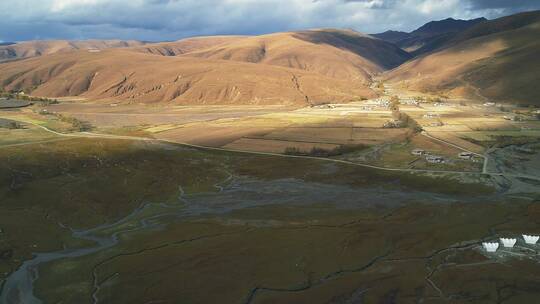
<point x="448" y="129"/>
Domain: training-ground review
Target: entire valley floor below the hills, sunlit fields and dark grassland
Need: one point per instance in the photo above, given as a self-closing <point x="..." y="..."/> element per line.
<point x="266" y="205"/>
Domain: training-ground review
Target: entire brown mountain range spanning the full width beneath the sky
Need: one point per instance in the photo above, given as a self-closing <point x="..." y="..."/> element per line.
<point x="479" y="58"/>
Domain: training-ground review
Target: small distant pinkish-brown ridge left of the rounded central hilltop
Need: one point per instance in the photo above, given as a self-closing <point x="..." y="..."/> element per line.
<point x="185" y="45"/>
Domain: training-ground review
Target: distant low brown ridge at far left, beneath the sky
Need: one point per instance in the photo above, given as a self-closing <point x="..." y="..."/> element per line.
<point x="35" y="48"/>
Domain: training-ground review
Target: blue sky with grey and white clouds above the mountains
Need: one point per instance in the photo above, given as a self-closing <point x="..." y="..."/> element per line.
<point x="160" y="20"/>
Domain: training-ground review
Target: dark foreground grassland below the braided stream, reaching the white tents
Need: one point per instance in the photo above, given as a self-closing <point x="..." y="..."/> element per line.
<point x="311" y="254"/>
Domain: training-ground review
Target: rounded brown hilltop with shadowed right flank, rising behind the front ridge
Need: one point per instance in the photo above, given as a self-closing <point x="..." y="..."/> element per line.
<point x="339" y="54"/>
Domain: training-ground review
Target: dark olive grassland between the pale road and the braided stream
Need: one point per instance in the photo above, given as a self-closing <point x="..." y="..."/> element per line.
<point x="81" y="183"/>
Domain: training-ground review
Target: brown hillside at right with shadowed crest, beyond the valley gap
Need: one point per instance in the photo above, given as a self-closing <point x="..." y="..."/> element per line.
<point x="495" y="60"/>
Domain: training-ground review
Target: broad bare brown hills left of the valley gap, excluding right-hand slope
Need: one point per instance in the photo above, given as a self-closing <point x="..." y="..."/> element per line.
<point x="296" y="68"/>
